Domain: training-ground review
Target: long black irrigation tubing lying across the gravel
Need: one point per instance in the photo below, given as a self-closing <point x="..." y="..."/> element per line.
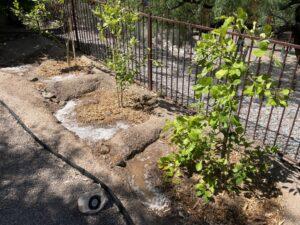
<point x="84" y="172"/>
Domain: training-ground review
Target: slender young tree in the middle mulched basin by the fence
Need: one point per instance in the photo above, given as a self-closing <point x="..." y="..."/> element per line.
<point x="118" y="19"/>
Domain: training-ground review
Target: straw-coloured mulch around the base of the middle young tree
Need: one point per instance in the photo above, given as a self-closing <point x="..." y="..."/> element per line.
<point x="101" y="107"/>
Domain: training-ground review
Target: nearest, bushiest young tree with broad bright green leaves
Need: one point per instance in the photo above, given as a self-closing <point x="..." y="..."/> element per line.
<point x="207" y="141"/>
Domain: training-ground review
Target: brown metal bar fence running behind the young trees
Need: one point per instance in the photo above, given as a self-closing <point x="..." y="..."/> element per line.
<point x="165" y="51"/>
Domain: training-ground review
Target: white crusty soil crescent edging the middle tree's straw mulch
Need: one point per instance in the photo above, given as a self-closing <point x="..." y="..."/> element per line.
<point x="67" y="117"/>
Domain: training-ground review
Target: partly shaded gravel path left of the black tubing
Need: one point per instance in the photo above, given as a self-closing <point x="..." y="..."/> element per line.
<point x="38" y="188"/>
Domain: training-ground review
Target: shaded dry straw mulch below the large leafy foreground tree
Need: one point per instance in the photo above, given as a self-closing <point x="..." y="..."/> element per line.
<point x="226" y="209"/>
